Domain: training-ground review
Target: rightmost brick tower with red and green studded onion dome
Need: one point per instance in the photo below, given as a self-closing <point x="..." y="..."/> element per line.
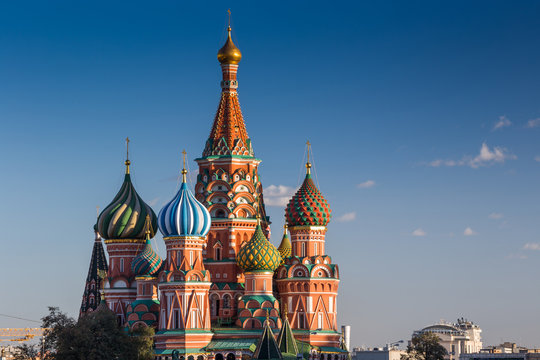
<point x="308" y="281"/>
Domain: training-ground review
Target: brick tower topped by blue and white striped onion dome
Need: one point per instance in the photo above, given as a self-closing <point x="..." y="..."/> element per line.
<point x="184" y="283"/>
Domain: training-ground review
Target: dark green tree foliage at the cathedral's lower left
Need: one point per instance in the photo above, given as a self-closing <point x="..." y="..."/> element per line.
<point x="95" y="336"/>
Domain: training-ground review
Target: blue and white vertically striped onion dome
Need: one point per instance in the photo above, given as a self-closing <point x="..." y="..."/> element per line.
<point x="184" y="216"/>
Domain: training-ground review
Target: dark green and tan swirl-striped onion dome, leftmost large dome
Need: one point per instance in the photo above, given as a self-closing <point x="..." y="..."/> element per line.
<point x="125" y="216"/>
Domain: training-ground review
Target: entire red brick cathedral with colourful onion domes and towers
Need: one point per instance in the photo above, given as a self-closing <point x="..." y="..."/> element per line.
<point x="224" y="291"/>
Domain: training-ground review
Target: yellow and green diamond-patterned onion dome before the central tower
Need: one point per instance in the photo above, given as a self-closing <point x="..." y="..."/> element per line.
<point x="258" y="254"/>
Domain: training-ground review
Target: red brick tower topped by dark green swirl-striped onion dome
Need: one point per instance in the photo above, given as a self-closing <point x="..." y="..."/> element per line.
<point x="121" y="224"/>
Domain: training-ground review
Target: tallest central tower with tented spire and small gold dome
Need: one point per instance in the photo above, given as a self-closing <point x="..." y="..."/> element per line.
<point x="229" y="185"/>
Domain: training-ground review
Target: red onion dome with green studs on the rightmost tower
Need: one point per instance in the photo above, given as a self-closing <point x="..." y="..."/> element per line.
<point x="308" y="207"/>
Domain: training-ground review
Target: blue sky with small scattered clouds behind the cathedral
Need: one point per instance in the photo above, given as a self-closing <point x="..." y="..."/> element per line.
<point x="423" y="118"/>
